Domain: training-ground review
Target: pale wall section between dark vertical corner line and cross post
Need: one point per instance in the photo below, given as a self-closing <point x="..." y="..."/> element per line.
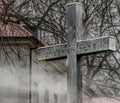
<point x="49" y="85"/>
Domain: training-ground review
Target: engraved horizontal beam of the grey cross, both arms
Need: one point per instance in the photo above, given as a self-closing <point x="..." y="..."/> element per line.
<point x="83" y="47"/>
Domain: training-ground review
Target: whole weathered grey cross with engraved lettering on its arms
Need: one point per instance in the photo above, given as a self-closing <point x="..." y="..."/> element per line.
<point x="73" y="49"/>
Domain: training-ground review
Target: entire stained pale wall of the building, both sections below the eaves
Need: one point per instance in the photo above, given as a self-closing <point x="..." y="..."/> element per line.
<point x="48" y="85"/>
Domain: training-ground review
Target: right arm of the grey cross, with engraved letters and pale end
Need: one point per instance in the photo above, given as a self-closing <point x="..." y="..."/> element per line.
<point x="96" y="45"/>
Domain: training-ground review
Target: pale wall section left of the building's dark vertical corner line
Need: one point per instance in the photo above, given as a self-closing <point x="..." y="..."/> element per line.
<point x="14" y="78"/>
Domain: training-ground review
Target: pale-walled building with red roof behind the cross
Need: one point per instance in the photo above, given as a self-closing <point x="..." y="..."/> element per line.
<point x="23" y="77"/>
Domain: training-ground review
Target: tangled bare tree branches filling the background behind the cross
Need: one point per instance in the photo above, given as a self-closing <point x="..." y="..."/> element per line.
<point x="100" y="18"/>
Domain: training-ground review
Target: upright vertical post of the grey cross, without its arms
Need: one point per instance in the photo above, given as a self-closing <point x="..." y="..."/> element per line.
<point x="74" y="75"/>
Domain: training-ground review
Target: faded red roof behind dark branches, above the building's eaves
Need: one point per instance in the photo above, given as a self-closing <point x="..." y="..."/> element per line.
<point x="11" y="29"/>
